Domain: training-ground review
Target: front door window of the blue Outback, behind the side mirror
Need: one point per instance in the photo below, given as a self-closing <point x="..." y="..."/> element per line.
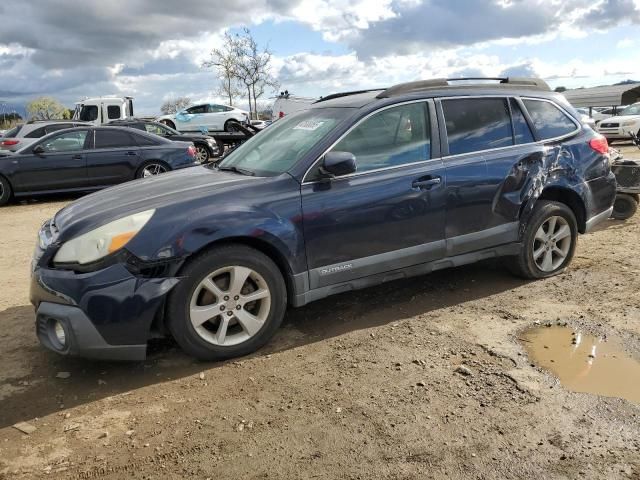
<point x="395" y="136"/>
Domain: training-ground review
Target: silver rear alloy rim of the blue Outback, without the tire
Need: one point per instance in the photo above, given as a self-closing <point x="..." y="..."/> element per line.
<point x="552" y="243"/>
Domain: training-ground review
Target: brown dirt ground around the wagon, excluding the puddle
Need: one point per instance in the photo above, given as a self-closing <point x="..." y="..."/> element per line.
<point x="358" y="386"/>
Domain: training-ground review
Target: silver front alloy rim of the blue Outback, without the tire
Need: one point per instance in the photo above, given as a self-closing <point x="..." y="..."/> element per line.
<point x="230" y="306"/>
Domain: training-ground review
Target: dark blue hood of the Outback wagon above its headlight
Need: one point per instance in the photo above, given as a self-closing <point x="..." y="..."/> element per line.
<point x="171" y="188"/>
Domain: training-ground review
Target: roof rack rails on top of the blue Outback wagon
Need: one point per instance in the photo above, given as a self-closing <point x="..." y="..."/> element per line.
<point x="420" y="85"/>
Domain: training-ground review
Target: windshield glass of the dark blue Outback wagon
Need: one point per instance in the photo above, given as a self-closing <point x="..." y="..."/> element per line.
<point x="276" y="149"/>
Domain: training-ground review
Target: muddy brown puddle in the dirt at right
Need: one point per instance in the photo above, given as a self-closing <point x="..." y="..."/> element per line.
<point x="585" y="363"/>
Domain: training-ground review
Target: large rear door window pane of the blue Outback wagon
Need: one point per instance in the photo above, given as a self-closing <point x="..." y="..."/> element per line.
<point x="476" y="124"/>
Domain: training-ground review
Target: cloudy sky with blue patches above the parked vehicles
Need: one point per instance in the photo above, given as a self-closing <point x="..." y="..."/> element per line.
<point x="153" y="49"/>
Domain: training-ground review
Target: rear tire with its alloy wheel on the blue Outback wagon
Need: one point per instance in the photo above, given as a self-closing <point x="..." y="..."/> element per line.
<point x="557" y="254"/>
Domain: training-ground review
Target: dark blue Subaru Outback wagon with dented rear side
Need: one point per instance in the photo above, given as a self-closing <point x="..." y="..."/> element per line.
<point x="362" y="188"/>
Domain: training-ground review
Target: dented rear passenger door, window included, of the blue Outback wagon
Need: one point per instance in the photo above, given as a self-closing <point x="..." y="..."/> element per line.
<point x="490" y="157"/>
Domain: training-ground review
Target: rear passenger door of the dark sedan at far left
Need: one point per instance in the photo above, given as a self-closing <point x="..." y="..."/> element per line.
<point x="114" y="157"/>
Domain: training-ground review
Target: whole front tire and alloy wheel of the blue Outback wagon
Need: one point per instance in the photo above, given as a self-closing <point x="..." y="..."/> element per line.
<point x="206" y="279"/>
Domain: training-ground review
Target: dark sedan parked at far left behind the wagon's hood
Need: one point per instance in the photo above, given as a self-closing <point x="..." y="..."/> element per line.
<point x="87" y="159"/>
